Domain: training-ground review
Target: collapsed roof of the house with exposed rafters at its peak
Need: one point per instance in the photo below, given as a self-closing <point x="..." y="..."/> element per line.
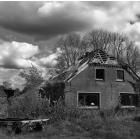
<point x="97" y="57"/>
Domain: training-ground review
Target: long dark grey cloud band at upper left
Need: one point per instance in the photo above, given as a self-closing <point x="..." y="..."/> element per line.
<point x="46" y="28"/>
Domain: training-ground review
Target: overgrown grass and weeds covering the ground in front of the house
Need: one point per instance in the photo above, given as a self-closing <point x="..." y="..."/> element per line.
<point x="75" y="123"/>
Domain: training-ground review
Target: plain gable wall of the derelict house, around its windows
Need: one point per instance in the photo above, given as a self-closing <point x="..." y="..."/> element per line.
<point x="109" y="89"/>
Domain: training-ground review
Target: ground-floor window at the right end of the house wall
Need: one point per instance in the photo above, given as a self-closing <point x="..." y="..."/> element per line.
<point x="128" y="99"/>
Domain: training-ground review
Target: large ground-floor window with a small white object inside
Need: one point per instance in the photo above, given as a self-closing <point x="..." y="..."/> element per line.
<point x="88" y="100"/>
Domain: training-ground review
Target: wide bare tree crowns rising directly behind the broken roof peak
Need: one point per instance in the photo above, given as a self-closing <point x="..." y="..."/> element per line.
<point x="104" y="40"/>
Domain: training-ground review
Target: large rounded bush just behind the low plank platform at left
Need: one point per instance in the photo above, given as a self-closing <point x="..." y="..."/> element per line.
<point x="28" y="106"/>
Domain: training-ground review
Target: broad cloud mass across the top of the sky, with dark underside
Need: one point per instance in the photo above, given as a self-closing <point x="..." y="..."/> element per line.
<point x="43" y="20"/>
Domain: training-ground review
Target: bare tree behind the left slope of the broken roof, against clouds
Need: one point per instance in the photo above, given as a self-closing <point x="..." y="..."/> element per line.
<point x="71" y="50"/>
